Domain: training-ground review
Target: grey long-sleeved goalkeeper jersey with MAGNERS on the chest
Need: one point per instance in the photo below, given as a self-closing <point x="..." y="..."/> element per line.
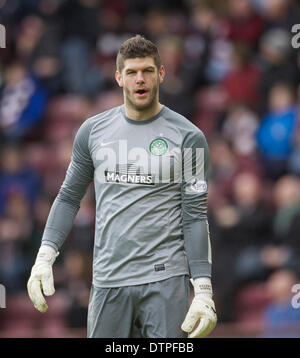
<point x="150" y="178"/>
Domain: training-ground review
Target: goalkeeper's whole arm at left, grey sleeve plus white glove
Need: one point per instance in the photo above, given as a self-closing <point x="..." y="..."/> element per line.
<point x="60" y="220"/>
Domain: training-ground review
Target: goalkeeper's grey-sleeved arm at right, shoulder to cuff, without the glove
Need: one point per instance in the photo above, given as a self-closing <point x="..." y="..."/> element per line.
<point x="194" y="204"/>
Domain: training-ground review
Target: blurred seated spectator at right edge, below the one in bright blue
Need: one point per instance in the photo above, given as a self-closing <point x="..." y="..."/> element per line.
<point x="276" y="247"/>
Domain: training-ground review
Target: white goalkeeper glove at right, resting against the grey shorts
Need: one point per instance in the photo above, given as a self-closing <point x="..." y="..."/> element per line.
<point x="202" y="308"/>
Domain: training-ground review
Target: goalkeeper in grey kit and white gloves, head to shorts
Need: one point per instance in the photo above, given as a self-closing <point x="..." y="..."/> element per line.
<point x="149" y="165"/>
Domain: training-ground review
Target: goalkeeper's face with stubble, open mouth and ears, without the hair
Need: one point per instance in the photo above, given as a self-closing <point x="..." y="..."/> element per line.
<point x="140" y="80"/>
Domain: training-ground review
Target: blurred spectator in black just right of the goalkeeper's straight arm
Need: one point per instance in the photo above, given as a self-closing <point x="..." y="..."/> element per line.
<point x="241" y="228"/>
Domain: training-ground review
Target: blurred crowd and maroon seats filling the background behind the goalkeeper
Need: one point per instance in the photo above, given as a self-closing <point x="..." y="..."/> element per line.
<point x="231" y="70"/>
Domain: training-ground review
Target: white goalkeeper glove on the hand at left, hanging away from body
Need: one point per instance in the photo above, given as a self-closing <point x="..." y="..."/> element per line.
<point x="41" y="278"/>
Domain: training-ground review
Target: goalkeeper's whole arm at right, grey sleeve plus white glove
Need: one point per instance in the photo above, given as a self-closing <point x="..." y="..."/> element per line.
<point x="196" y="234"/>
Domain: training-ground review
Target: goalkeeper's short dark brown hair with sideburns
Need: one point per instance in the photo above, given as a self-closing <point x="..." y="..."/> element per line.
<point x="137" y="47"/>
